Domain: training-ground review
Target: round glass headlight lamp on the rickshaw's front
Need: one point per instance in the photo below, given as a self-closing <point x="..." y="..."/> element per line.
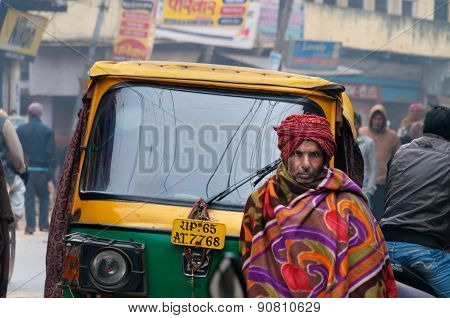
<point x="110" y="267"/>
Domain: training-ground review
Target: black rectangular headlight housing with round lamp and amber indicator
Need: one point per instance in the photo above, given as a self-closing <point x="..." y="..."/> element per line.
<point x="99" y="265"/>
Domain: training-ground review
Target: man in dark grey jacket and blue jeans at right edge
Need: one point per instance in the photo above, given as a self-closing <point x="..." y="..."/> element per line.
<point x="416" y="223"/>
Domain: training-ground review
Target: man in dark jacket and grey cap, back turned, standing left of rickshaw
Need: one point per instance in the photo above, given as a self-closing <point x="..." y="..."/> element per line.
<point x="38" y="142"/>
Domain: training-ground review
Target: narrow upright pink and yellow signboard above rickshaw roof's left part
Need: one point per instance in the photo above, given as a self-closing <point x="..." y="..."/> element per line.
<point x="136" y="32"/>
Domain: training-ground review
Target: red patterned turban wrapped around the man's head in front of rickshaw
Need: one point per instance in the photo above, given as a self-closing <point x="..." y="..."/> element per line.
<point x="294" y="129"/>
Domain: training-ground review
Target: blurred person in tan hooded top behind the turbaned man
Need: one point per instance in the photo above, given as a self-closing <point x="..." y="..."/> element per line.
<point x="386" y="144"/>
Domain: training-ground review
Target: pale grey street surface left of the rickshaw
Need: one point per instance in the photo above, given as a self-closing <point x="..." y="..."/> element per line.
<point x="29" y="270"/>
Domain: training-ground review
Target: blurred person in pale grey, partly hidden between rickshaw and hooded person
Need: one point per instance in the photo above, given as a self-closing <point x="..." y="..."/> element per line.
<point x="367" y="147"/>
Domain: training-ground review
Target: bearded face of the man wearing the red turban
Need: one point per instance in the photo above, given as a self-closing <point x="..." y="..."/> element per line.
<point x="306" y="162"/>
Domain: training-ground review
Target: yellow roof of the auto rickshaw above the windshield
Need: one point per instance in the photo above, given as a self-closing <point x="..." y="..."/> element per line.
<point x="211" y="73"/>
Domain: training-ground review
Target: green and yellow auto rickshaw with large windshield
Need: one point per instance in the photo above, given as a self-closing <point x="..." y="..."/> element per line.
<point x="169" y="155"/>
